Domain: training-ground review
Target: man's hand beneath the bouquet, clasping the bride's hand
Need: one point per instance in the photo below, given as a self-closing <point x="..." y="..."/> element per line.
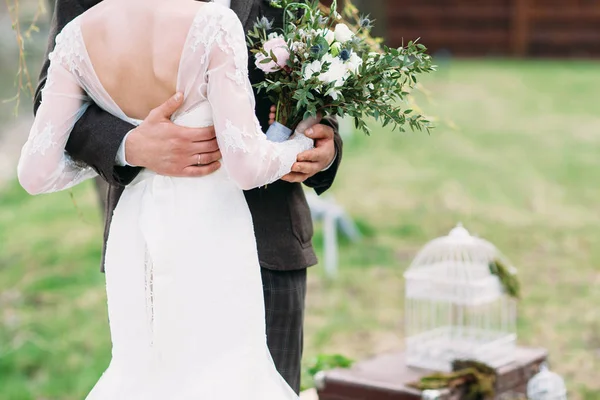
<point x="313" y="161"/>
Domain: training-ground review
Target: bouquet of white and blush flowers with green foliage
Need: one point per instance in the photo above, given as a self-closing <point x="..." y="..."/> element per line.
<point x="318" y="64"/>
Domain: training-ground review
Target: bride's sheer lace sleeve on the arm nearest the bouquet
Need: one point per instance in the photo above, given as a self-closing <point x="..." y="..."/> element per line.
<point x="250" y="159"/>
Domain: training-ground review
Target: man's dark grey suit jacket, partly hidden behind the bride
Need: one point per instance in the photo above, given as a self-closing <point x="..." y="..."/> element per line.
<point x="282" y="219"/>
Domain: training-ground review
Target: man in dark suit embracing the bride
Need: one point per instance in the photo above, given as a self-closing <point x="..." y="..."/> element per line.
<point x="282" y="220"/>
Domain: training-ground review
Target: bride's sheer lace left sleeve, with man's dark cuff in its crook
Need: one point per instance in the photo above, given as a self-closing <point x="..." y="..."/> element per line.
<point x="44" y="166"/>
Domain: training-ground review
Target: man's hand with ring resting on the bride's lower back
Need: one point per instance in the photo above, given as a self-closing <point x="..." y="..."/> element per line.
<point x="171" y="150"/>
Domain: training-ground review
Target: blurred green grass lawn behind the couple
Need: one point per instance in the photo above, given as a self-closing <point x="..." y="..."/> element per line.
<point x="515" y="158"/>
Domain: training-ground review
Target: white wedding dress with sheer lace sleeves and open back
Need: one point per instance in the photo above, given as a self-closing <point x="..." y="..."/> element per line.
<point x="183" y="280"/>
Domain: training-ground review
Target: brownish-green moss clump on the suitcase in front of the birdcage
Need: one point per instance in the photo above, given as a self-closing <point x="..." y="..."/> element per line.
<point x="477" y="379"/>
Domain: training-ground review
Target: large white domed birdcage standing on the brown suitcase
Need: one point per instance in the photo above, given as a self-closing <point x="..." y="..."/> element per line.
<point x="456" y="308"/>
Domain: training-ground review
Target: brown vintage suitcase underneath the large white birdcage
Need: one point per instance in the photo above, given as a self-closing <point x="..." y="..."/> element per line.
<point x="385" y="378"/>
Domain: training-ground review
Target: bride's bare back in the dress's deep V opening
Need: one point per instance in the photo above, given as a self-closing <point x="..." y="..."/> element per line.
<point x="135" y="48"/>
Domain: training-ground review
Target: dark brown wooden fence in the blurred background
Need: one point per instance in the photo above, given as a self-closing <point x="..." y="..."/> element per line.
<point x="539" y="28"/>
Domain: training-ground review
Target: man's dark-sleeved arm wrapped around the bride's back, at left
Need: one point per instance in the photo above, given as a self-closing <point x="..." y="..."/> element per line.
<point x="97" y="135"/>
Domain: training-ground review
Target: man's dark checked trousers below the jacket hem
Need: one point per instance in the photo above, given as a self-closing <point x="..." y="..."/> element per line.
<point x="285" y="293"/>
